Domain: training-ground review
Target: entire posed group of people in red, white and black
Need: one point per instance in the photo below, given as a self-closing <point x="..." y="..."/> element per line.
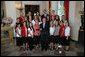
<point x="46" y="30"/>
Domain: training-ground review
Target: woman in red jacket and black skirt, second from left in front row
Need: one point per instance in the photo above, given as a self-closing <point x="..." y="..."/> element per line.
<point x="24" y="33"/>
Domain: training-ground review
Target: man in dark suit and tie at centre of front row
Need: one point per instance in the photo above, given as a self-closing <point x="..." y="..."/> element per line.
<point x="44" y="35"/>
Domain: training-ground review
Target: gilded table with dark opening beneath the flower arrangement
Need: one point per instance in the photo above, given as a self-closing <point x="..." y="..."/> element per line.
<point x="7" y="32"/>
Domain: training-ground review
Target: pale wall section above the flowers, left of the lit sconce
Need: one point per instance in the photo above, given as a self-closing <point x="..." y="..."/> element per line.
<point x="11" y="11"/>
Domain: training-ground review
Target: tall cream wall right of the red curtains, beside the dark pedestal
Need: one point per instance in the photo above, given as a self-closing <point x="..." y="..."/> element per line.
<point x="75" y="18"/>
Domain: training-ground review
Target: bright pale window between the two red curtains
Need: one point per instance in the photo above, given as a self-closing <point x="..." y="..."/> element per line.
<point x="58" y="6"/>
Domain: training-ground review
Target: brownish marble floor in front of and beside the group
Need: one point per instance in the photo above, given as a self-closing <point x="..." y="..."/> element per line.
<point x="9" y="48"/>
